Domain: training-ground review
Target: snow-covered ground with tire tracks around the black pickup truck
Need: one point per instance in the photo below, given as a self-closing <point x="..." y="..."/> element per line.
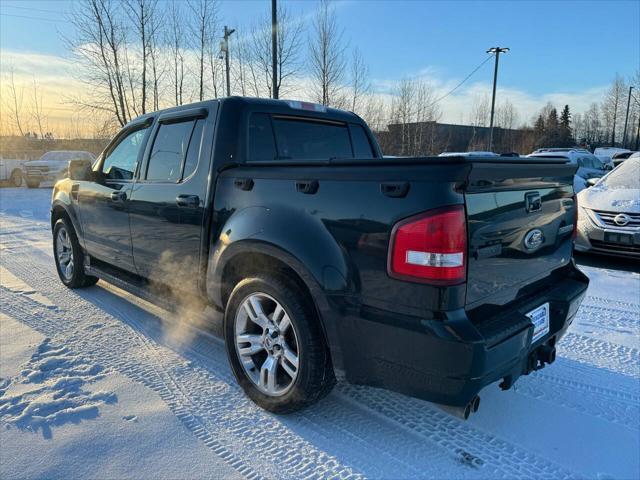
<point x="95" y="383"/>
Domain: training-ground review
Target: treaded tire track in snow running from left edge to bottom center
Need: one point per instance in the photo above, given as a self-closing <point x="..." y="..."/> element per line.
<point x="256" y="438"/>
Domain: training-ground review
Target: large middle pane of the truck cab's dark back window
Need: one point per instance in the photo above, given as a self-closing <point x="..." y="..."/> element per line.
<point x="301" y="139"/>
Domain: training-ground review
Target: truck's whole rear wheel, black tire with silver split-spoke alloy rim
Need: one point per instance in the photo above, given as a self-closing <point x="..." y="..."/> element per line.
<point x="275" y="345"/>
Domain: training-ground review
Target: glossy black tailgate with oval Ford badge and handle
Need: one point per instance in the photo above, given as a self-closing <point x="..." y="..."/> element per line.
<point x="520" y="225"/>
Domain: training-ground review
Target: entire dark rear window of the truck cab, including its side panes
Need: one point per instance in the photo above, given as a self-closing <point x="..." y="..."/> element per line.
<point x="287" y="138"/>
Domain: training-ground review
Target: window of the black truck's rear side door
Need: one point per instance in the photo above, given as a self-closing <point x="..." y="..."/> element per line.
<point x="168" y="151"/>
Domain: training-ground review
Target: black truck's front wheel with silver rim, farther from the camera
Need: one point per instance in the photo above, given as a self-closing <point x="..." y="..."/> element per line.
<point x="69" y="257"/>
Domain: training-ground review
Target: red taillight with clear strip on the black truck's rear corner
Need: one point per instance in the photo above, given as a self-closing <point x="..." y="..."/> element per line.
<point x="430" y="247"/>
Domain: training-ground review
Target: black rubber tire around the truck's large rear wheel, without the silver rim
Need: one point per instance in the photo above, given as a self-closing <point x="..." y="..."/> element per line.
<point x="315" y="377"/>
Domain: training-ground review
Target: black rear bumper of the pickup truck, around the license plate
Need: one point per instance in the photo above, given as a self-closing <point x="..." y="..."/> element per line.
<point x="449" y="361"/>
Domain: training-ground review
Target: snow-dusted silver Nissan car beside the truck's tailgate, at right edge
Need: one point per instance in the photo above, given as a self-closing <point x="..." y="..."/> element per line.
<point x="609" y="213"/>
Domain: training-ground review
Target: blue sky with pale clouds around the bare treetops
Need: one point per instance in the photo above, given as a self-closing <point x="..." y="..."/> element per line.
<point x="563" y="52"/>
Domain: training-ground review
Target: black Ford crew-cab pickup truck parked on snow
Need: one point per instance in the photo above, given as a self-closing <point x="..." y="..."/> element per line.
<point x="431" y="276"/>
